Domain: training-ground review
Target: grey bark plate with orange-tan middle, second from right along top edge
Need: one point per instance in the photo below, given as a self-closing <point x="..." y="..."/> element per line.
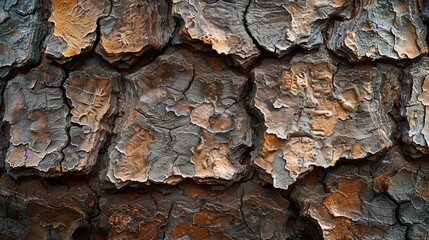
<point x="282" y="25"/>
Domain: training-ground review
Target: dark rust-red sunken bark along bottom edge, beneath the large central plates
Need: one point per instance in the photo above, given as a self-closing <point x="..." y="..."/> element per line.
<point x="244" y="210"/>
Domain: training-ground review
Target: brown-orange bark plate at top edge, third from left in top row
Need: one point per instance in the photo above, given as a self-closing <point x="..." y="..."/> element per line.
<point x="133" y="28"/>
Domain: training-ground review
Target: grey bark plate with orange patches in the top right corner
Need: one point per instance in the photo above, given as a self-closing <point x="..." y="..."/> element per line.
<point x="380" y="29"/>
